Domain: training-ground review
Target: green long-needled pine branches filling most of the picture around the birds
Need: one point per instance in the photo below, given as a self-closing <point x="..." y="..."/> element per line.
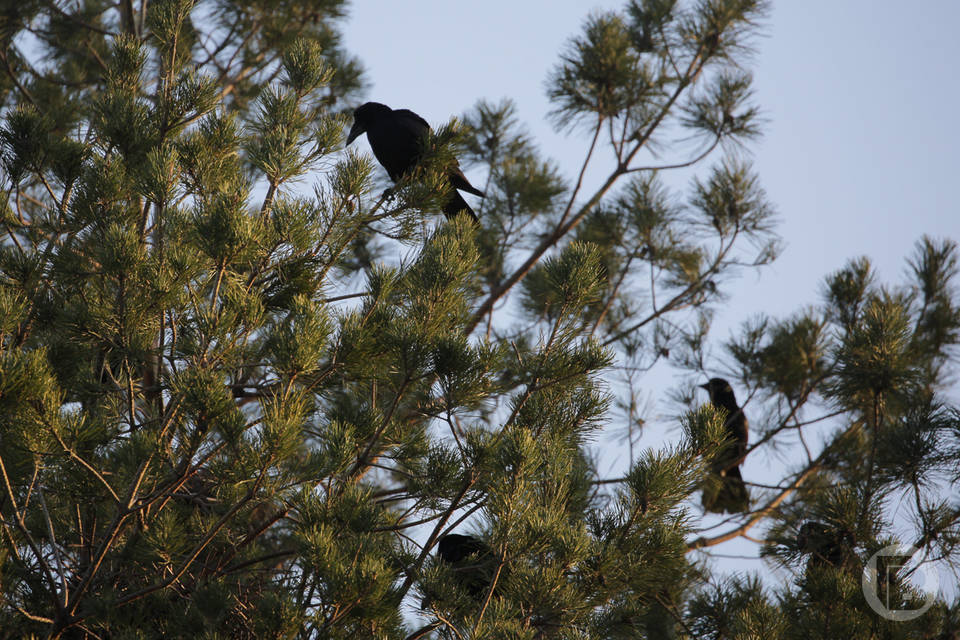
<point x="227" y="409"/>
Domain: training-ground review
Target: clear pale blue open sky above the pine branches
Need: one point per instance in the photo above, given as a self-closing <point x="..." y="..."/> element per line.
<point x="860" y="150"/>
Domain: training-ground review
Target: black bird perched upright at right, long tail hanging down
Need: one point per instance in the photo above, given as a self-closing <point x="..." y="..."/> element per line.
<point x="727" y="492"/>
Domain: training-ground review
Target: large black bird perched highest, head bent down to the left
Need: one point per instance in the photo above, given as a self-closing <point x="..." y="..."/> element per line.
<point x="396" y="137"/>
